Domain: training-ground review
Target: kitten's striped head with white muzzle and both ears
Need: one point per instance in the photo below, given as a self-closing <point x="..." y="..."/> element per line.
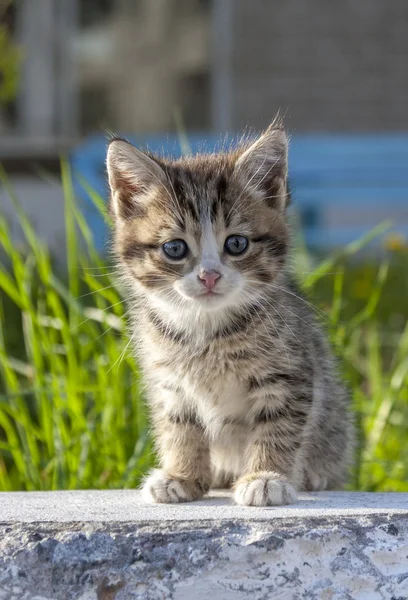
<point x="206" y="232"/>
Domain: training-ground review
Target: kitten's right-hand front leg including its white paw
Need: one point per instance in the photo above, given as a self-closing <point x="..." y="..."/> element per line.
<point x="269" y="477"/>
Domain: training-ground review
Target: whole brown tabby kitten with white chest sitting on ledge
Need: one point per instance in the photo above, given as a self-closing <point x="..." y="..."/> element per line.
<point x="240" y="381"/>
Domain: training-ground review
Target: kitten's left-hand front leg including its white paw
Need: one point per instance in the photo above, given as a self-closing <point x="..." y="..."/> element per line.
<point x="185" y="474"/>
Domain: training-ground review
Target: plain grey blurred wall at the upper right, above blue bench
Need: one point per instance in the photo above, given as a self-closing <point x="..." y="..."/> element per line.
<point x="332" y="65"/>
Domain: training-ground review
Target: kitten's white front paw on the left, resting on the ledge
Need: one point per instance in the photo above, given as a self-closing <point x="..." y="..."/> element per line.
<point x="160" y="487"/>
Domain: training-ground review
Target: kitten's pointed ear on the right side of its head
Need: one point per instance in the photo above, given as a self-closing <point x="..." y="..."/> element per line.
<point x="264" y="165"/>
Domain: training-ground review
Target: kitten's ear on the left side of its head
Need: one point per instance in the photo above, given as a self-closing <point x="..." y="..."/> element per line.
<point x="131" y="175"/>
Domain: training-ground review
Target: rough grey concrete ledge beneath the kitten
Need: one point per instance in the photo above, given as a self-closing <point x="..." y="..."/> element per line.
<point x="111" y="546"/>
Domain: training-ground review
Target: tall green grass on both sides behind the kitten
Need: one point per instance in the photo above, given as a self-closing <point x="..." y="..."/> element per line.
<point x="71" y="401"/>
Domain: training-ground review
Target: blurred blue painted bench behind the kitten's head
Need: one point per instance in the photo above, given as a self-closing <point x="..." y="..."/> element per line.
<point x="342" y="185"/>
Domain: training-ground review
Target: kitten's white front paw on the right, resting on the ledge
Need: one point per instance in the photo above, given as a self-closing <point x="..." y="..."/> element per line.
<point x="264" y="489"/>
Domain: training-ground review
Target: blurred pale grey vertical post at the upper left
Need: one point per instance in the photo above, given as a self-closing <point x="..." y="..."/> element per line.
<point x="47" y="103"/>
